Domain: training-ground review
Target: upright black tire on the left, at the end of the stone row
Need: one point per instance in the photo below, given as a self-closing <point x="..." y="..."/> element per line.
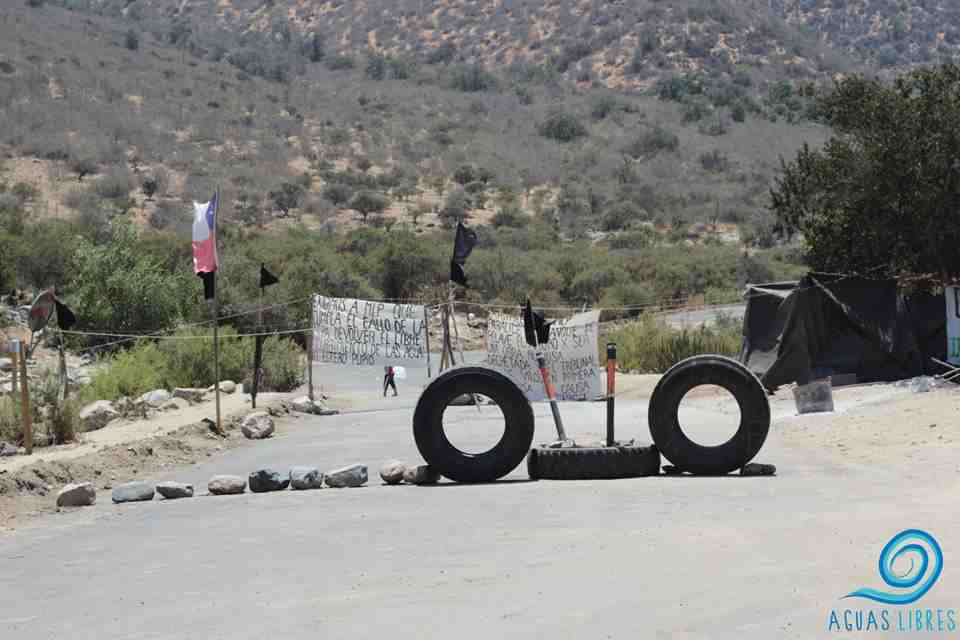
<point x="458" y="465"/>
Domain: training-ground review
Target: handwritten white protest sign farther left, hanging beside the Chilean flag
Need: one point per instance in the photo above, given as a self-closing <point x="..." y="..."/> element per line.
<point x="361" y="332"/>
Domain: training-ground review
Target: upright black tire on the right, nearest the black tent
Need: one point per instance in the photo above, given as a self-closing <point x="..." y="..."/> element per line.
<point x="694" y="458"/>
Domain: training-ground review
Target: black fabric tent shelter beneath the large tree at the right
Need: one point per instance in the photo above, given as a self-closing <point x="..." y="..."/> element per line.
<point x="829" y="325"/>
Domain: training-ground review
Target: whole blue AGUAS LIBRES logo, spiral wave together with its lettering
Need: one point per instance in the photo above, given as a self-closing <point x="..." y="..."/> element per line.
<point x="910" y="565"/>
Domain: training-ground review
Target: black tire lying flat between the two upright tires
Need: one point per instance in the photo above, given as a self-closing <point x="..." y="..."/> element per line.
<point x="593" y="463"/>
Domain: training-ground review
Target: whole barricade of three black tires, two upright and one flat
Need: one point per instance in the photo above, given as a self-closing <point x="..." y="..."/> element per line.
<point x="619" y="461"/>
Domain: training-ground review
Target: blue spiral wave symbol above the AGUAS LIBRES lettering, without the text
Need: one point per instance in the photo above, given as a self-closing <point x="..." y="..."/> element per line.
<point x="926" y="563"/>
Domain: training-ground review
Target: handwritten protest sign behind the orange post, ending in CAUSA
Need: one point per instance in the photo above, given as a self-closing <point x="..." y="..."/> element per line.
<point x="572" y="356"/>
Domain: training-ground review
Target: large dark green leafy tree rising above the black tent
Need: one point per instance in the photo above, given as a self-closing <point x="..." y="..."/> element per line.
<point x="883" y="195"/>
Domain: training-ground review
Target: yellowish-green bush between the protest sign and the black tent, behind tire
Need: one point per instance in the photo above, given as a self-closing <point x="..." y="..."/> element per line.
<point x="649" y="346"/>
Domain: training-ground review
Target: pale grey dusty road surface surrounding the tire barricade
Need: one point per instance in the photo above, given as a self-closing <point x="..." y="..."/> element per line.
<point x="659" y="557"/>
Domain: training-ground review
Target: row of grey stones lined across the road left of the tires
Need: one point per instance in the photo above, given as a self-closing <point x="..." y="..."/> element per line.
<point x="261" y="481"/>
